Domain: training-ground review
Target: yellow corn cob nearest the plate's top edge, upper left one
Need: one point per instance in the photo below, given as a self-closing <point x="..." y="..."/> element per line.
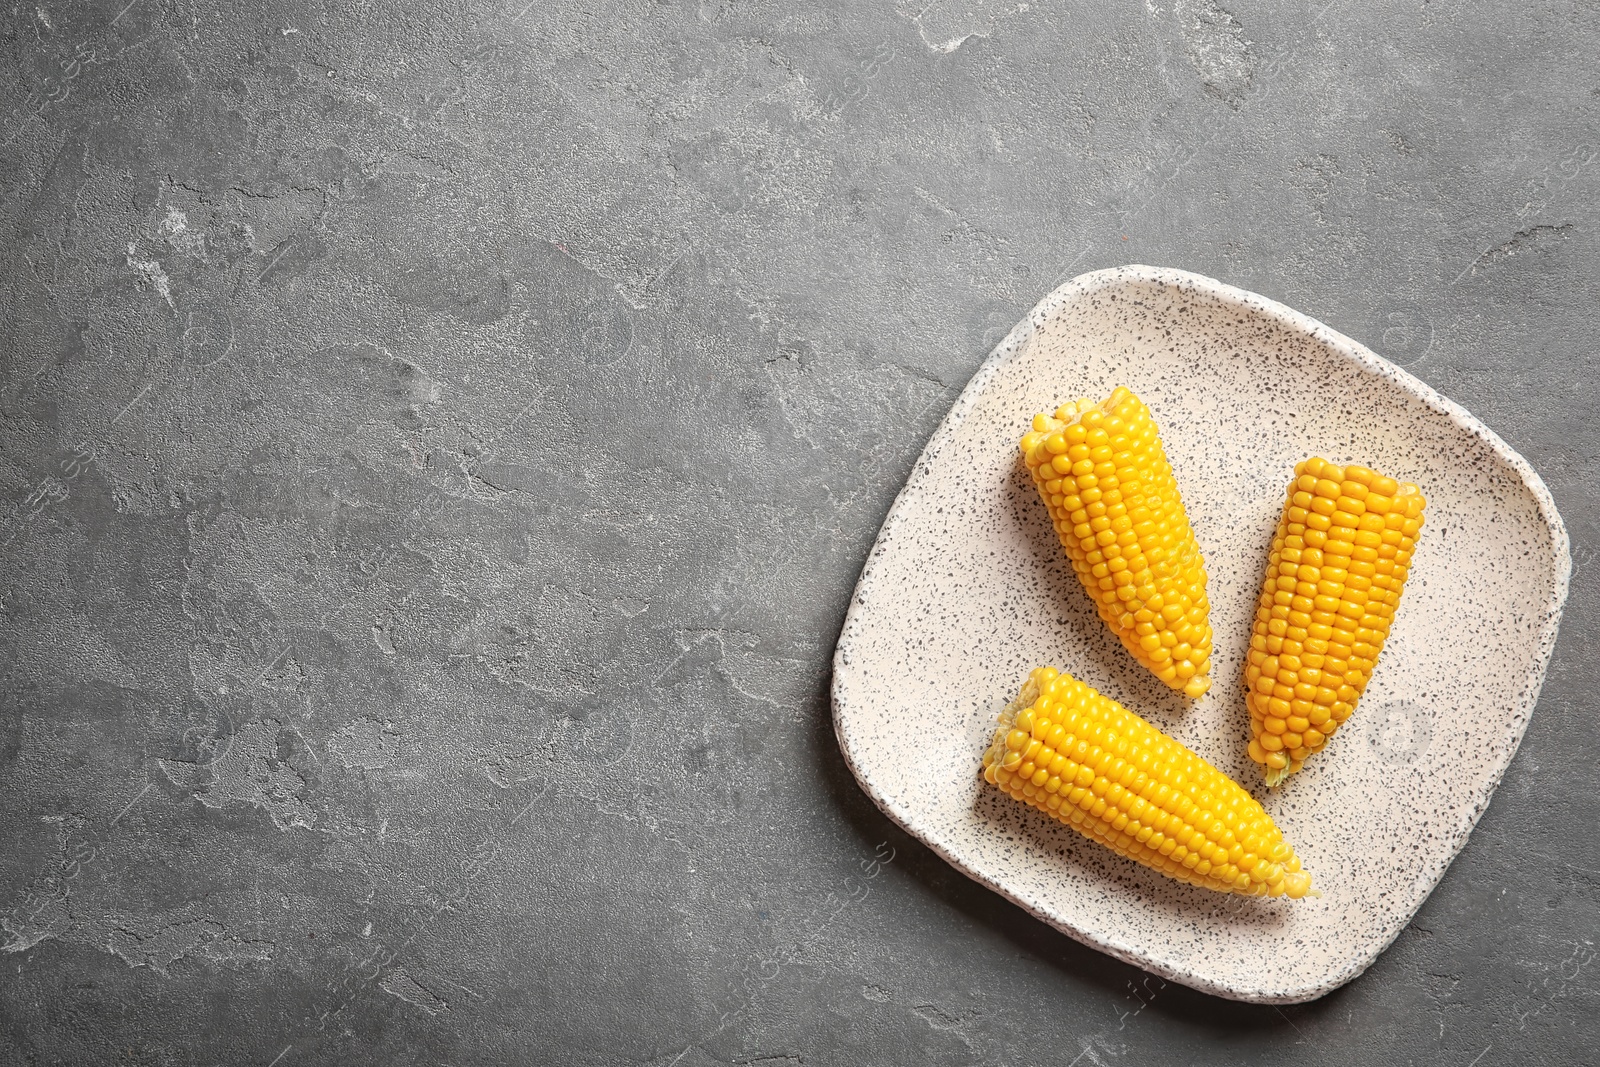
<point x="1103" y="474"/>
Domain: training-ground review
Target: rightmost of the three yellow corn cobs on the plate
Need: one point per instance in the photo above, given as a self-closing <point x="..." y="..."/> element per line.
<point x="1334" y="581"/>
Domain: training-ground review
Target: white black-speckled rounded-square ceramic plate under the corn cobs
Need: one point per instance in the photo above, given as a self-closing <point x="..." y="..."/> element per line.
<point x="967" y="591"/>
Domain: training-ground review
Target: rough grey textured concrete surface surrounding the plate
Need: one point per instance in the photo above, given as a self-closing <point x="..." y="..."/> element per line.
<point x="439" y="444"/>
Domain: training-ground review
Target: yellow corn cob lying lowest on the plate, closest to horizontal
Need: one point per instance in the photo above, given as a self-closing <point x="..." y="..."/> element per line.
<point x="1118" y="780"/>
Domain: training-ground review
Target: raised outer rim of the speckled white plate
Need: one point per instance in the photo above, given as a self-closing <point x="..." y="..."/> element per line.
<point x="1009" y="350"/>
